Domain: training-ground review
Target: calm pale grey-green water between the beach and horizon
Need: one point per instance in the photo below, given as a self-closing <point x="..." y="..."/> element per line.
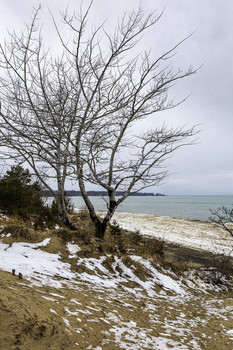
<point x="191" y="207"/>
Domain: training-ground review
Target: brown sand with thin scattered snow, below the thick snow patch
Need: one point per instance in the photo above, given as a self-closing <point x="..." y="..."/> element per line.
<point x="88" y="317"/>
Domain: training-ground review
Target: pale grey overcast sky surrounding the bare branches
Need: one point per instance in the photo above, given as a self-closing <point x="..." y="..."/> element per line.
<point x="206" y="168"/>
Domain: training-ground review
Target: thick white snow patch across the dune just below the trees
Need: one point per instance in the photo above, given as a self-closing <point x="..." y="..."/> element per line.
<point x="43" y="268"/>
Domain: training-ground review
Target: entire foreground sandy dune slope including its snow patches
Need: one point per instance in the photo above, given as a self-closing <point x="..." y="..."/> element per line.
<point x="74" y="295"/>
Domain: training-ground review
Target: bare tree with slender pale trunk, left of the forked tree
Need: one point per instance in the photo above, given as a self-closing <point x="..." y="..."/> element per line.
<point x="37" y="110"/>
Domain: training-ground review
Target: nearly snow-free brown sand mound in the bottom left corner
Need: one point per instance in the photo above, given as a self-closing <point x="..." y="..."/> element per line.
<point x="25" y="320"/>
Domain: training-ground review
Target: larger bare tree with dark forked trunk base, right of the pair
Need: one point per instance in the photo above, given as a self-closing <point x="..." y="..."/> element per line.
<point x="116" y="93"/>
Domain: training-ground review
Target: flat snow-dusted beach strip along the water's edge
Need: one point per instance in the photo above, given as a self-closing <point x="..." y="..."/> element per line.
<point x="200" y="235"/>
